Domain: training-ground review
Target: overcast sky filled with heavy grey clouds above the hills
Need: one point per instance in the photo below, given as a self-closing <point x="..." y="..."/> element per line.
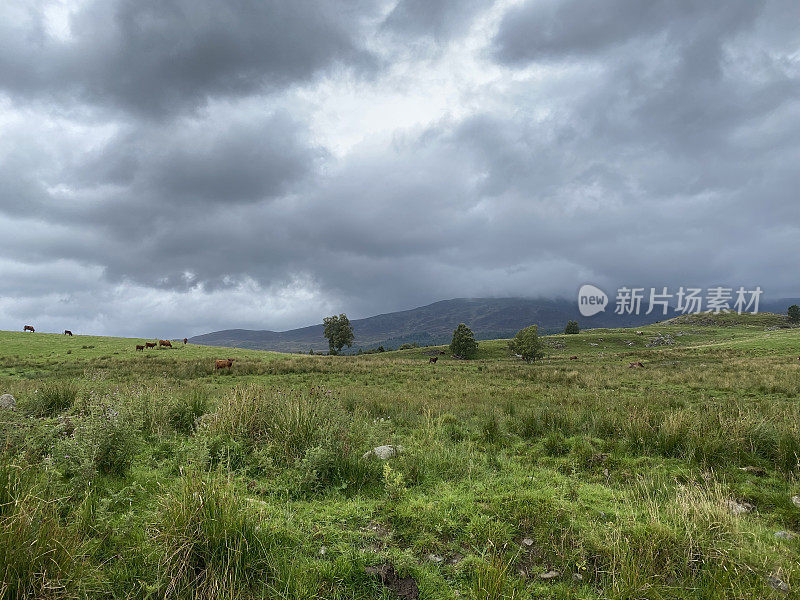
<point x="173" y="167"/>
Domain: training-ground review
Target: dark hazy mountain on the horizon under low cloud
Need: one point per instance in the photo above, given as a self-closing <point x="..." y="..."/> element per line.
<point x="489" y="318"/>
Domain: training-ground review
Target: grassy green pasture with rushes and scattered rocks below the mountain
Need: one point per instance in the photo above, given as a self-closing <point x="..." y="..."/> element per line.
<point x="131" y="474"/>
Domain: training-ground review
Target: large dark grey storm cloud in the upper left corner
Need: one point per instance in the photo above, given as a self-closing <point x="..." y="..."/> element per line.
<point x="157" y="57"/>
